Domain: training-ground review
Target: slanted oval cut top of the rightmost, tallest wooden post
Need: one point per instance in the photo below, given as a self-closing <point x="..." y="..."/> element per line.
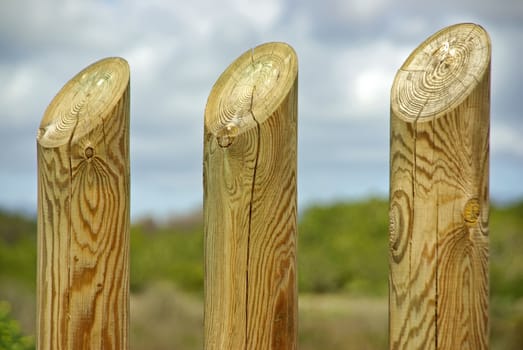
<point x="441" y="72"/>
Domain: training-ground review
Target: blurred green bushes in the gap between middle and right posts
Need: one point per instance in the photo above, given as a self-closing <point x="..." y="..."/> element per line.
<point x="343" y="248"/>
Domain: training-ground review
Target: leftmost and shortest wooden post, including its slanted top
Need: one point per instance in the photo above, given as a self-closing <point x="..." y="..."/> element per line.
<point x="83" y="212"/>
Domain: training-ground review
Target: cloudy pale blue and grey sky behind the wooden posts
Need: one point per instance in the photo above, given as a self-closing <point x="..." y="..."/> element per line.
<point x="348" y="51"/>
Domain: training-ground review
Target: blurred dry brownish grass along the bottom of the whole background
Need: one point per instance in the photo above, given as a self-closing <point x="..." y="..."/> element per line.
<point x="163" y="317"/>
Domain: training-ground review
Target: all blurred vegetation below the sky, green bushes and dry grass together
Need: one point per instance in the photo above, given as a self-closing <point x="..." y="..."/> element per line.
<point x="342" y="263"/>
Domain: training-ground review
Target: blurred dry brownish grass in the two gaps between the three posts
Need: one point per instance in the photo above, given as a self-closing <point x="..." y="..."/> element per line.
<point x="164" y="318"/>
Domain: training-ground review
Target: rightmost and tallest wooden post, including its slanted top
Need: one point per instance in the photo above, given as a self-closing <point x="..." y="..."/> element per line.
<point x="439" y="198"/>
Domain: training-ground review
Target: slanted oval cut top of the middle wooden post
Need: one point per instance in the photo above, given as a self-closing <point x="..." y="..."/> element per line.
<point x="250" y="90"/>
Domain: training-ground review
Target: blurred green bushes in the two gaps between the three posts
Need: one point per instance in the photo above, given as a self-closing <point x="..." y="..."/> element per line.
<point x="342" y="248"/>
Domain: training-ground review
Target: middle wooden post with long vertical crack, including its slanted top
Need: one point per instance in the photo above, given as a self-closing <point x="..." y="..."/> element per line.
<point x="250" y="202"/>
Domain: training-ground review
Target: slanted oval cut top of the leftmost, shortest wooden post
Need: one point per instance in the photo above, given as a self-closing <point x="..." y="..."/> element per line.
<point x="84" y="102"/>
